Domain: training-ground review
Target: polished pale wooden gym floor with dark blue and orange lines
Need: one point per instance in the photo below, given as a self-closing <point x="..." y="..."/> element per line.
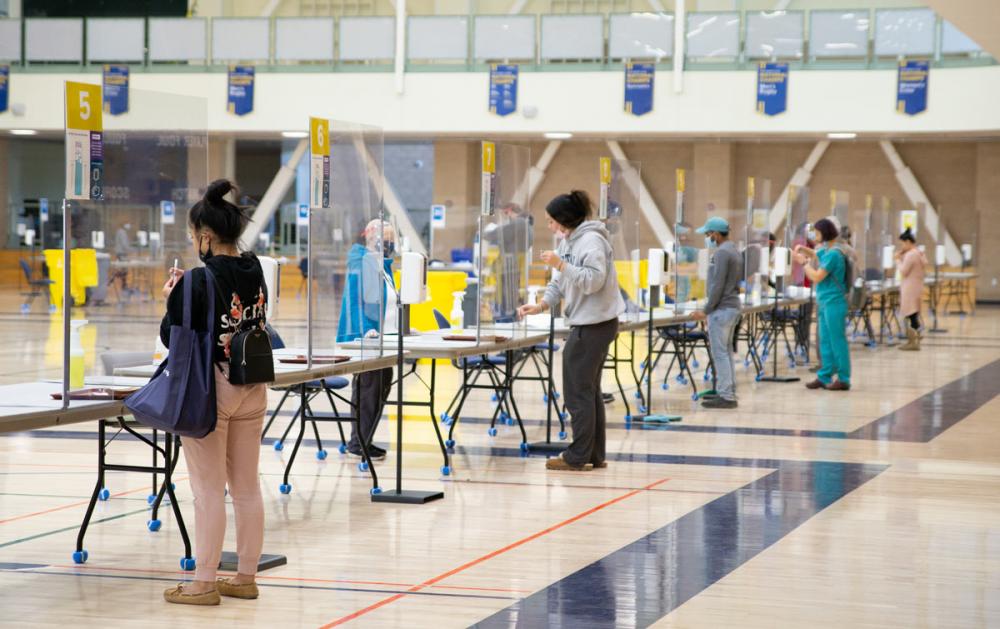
<point x="873" y="508"/>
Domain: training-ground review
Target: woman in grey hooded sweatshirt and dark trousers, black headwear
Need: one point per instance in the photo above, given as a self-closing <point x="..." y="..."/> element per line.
<point x="588" y="284"/>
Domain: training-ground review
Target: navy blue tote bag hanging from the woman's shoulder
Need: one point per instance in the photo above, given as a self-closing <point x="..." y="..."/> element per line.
<point x="180" y="397"/>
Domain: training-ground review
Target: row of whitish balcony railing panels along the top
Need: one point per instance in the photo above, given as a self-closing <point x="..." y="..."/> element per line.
<point x="823" y="39"/>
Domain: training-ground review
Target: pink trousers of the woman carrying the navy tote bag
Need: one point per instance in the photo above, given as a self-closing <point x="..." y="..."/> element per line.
<point x="228" y="455"/>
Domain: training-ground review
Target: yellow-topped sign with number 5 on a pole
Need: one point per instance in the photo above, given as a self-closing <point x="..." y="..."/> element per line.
<point x="84" y="142"/>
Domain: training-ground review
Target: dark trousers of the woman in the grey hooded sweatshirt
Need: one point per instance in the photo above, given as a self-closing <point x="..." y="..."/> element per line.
<point x="583" y="363"/>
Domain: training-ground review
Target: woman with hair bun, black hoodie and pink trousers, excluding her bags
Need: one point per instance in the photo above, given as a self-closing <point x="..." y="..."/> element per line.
<point x="229" y="455"/>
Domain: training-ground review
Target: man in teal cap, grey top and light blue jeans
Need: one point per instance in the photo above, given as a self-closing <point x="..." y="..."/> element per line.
<point x="722" y="308"/>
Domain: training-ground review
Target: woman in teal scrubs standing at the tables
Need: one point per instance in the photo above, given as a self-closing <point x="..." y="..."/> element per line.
<point x="829" y="275"/>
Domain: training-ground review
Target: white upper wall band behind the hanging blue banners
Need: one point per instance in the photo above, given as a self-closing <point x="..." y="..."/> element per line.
<point x="960" y="100"/>
